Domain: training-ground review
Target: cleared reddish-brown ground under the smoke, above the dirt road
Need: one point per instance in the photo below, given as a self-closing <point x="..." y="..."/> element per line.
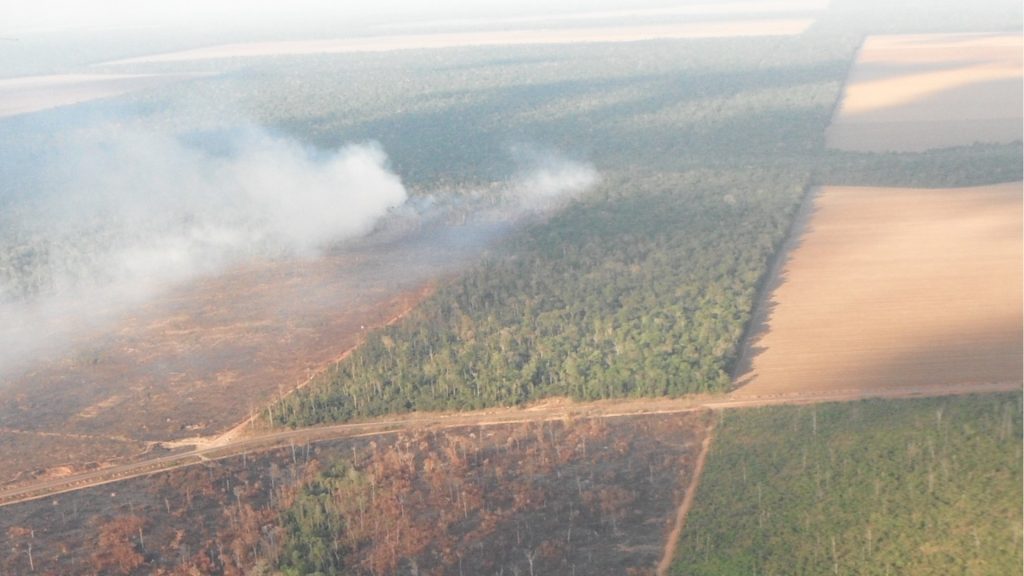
<point x="195" y="362"/>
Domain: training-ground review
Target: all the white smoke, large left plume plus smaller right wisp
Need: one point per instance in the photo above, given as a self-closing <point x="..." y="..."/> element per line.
<point x="115" y="219"/>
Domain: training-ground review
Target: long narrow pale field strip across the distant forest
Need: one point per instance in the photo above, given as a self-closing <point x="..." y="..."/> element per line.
<point x="717" y="29"/>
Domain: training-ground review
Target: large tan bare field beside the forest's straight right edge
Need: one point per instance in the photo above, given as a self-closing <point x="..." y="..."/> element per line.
<point x="895" y="287"/>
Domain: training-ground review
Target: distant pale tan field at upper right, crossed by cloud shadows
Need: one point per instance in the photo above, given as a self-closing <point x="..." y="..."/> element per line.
<point x="917" y="93"/>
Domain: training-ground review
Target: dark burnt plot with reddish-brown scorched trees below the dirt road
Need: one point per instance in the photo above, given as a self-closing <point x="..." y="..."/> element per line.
<point x="584" y="497"/>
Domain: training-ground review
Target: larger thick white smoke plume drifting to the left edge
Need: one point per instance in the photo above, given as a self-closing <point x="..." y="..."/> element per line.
<point x="120" y="219"/>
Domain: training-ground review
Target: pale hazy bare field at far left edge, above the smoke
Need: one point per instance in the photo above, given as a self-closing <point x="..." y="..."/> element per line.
<point x="22" y="96"/>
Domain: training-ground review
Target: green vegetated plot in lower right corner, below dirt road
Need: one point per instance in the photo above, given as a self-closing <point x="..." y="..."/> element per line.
<point x="877" y="487"/>
